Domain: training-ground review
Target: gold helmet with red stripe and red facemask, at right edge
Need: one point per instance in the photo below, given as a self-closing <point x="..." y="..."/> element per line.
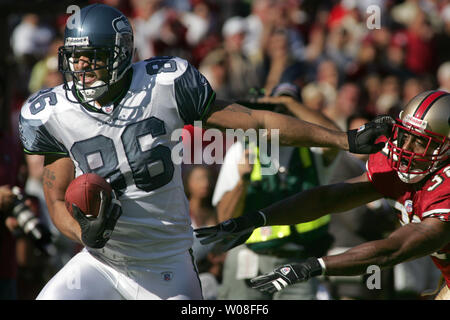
<point x="427" y="119"/>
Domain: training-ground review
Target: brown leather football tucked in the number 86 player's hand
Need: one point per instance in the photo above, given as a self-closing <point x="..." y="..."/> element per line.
<point x="84" y="192"/>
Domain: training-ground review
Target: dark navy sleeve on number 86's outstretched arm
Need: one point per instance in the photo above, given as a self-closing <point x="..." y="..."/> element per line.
<point x="193" y="95"/>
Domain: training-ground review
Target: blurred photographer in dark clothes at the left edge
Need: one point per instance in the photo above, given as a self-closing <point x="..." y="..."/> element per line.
<point x="16" y="251"/>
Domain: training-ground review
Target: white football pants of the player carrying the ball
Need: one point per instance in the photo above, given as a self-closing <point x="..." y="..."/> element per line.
<point x="85" y="277"/>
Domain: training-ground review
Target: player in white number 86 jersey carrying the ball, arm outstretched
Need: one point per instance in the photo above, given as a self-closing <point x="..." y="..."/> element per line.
<point x="115" y="118"/>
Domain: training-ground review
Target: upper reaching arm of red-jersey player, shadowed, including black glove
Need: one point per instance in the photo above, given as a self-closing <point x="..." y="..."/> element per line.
<point x="302" y="207"/>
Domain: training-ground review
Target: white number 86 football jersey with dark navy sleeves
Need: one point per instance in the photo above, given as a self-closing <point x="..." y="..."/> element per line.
<point x="131" y="148"/>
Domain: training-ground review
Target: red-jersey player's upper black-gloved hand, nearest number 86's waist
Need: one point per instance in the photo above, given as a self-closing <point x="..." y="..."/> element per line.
<point x="232" y="232"/>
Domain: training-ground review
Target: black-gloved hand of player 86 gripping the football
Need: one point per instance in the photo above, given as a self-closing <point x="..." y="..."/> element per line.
<point x="96" y="231"/>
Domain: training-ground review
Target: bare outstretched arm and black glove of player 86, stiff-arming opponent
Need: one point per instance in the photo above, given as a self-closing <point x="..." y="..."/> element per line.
<point x="295" y="132"/>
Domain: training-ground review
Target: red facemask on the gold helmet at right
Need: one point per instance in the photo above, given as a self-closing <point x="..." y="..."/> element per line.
<point x="412" y="166"/>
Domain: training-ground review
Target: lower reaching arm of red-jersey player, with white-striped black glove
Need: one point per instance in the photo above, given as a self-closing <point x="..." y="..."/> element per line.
<point x="409" y="242"/>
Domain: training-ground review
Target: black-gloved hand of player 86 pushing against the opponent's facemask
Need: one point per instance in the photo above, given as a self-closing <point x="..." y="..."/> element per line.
<point x="362" y="140"/>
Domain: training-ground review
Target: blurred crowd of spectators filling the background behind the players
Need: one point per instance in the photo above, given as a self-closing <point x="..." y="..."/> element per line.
<point x="346" y="59"/>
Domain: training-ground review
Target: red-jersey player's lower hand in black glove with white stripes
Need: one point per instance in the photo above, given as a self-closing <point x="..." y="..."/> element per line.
<point x="286" y="275"/>
